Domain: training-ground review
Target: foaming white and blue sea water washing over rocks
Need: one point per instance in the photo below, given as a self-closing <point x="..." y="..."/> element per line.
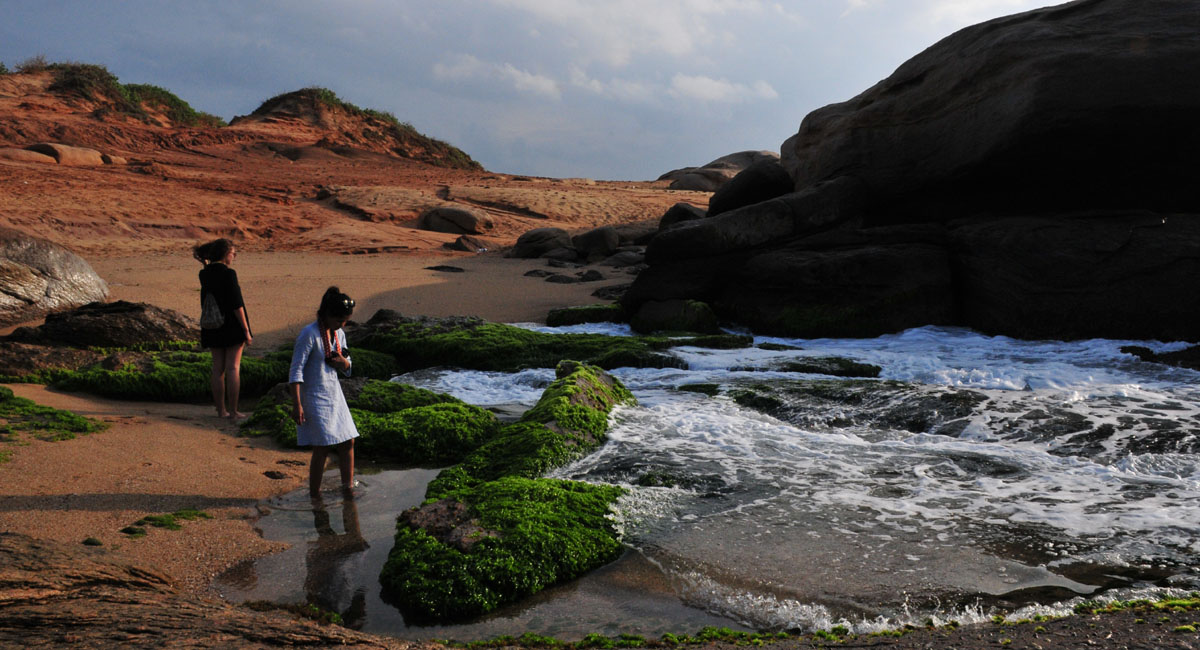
<point x="976" y="476"/>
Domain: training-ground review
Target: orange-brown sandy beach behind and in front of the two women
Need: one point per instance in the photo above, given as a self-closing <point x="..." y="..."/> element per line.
<point x="157" y="459"/>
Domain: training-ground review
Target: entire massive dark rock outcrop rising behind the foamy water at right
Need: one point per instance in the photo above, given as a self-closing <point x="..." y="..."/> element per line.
<point x="1031" y="177"/>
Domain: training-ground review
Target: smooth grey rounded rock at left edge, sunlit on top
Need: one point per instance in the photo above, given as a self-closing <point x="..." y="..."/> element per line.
<point x="39" y="278"/>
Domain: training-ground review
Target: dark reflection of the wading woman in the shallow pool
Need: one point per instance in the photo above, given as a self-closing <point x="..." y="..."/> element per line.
<point x="333" y="563"/>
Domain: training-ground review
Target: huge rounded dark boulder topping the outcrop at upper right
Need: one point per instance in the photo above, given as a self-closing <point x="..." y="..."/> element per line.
<point x="1071" y="107"/>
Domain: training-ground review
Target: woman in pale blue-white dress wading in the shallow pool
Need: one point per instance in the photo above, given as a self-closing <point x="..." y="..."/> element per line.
<point x="323" y="419"/>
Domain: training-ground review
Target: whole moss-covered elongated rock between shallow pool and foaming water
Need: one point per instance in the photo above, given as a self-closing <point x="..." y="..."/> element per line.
<point x="491" y="532"/>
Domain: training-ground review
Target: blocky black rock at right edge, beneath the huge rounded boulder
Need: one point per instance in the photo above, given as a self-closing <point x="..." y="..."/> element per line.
<point x="1111" y="275"/>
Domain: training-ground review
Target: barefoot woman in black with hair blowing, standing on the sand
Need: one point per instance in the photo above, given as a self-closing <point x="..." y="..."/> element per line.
<point x="229" y="340"/>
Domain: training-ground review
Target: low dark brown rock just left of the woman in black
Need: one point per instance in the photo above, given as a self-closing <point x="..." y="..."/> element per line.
<point x="111" y="326"/>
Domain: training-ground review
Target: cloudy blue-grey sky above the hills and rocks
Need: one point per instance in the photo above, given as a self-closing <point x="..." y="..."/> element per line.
<point x="601" y="89"/>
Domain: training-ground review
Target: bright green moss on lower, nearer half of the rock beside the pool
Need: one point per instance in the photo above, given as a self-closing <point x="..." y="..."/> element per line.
<point x="549" y="532"/>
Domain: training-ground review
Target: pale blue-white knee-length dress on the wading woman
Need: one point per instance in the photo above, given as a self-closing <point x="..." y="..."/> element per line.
<point x="327" y="418"/>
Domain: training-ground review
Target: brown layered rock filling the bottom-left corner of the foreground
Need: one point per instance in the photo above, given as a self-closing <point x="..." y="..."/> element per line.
<point x="58" y="595"/>
